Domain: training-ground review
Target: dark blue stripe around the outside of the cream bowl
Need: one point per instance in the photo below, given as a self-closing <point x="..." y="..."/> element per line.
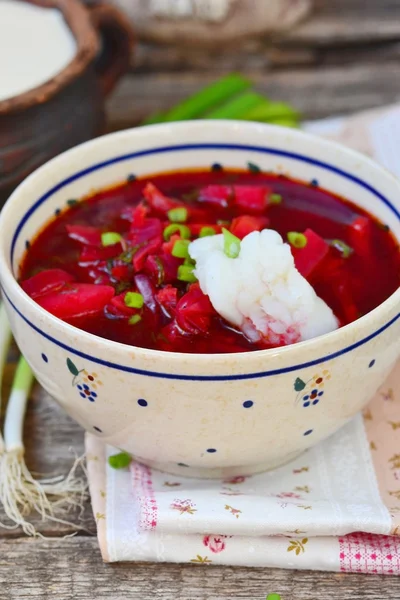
<point x="258" y="375"/>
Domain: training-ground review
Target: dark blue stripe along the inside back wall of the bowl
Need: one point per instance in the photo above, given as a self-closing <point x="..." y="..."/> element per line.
<point x="209" y="146"/>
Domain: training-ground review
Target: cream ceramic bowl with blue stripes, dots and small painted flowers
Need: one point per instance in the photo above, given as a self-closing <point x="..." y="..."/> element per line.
<point x="202" y="415"/>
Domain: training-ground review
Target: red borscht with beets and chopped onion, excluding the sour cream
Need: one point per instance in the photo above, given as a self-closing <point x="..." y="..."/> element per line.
<point x="114" y="263"/>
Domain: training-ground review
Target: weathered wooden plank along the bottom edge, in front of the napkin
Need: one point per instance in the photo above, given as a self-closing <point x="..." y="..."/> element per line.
<point x="72" y="569"/>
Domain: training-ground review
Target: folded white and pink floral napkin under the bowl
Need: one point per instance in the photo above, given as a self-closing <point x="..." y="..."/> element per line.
<point x="336" y="507"/>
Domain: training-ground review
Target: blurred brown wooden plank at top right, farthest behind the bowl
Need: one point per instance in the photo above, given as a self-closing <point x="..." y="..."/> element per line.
<point x="336" y="32"/>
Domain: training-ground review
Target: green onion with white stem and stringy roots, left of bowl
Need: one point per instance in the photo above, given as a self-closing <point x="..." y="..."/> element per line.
<point x="20" y="492"/>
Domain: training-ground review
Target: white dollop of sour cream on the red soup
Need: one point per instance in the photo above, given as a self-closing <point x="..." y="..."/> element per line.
<point x="260" y="291"/>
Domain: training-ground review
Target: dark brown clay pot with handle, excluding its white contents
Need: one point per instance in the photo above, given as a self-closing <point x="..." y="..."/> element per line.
<point x="68" y="109"/>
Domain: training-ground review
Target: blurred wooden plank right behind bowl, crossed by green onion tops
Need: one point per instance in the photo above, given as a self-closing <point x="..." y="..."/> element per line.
<point x="316" y="92"/>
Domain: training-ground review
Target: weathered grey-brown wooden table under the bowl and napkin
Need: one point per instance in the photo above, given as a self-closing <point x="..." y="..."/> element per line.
<point x="344" y="58"/>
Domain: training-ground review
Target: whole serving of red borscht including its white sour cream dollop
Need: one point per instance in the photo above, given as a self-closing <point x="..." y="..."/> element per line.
<point x="211" y="261"/>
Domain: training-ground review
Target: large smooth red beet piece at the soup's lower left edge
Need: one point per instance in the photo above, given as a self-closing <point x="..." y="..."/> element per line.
<point x="77" y="300"/>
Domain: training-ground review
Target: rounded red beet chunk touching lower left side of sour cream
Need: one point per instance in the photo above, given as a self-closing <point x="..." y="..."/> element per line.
<point x="194" y="311"/>
